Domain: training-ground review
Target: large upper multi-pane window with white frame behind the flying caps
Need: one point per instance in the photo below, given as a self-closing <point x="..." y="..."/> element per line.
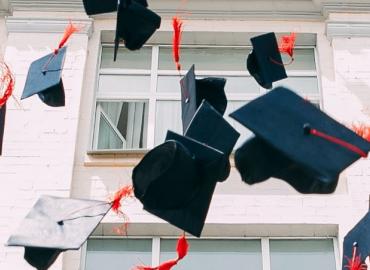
<point x="138" y="96"/>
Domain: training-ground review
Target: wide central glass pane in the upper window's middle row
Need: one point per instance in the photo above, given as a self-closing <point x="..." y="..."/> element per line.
<point x="234" y="84"/>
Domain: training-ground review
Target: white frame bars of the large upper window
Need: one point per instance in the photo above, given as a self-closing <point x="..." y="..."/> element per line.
<point x="152" y="96"/>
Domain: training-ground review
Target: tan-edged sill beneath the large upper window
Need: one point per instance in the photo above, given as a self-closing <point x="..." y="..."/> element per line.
<point x="120" y="158"/>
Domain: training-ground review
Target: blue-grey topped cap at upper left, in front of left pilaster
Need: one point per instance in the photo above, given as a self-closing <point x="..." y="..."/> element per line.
<point x="45" y="79"/>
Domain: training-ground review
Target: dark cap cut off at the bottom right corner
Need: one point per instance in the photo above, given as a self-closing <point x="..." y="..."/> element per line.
<point x="358" y="240"/>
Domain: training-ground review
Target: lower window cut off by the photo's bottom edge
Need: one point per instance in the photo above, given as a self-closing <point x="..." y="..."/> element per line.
<point x="216" y="254"/>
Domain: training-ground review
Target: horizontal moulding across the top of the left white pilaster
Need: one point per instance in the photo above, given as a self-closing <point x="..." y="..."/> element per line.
<point x="34" y="25"/>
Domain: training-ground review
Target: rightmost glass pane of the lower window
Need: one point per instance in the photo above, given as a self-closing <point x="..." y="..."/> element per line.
<point x="302" y="254"/>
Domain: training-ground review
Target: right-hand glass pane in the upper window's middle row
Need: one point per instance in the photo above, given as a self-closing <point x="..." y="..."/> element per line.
<point x="301" y="85"/>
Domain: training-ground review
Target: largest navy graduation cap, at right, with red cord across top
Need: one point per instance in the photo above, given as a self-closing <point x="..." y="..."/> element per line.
<point x="295" y="142"/>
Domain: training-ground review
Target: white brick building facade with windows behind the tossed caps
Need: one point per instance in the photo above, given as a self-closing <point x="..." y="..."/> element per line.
<point x="116" y="111"/>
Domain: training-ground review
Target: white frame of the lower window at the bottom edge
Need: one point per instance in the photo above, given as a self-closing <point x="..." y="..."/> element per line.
<point x="265" y="246"/>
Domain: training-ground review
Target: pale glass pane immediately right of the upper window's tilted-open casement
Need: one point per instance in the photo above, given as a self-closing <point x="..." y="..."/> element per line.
<point x="168" y="117"/>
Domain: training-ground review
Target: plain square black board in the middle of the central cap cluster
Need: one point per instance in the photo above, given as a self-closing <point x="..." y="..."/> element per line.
<point x="208" y="126"/>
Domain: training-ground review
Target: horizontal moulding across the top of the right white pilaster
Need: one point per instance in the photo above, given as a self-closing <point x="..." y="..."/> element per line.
<point x="347" y="29"/>
